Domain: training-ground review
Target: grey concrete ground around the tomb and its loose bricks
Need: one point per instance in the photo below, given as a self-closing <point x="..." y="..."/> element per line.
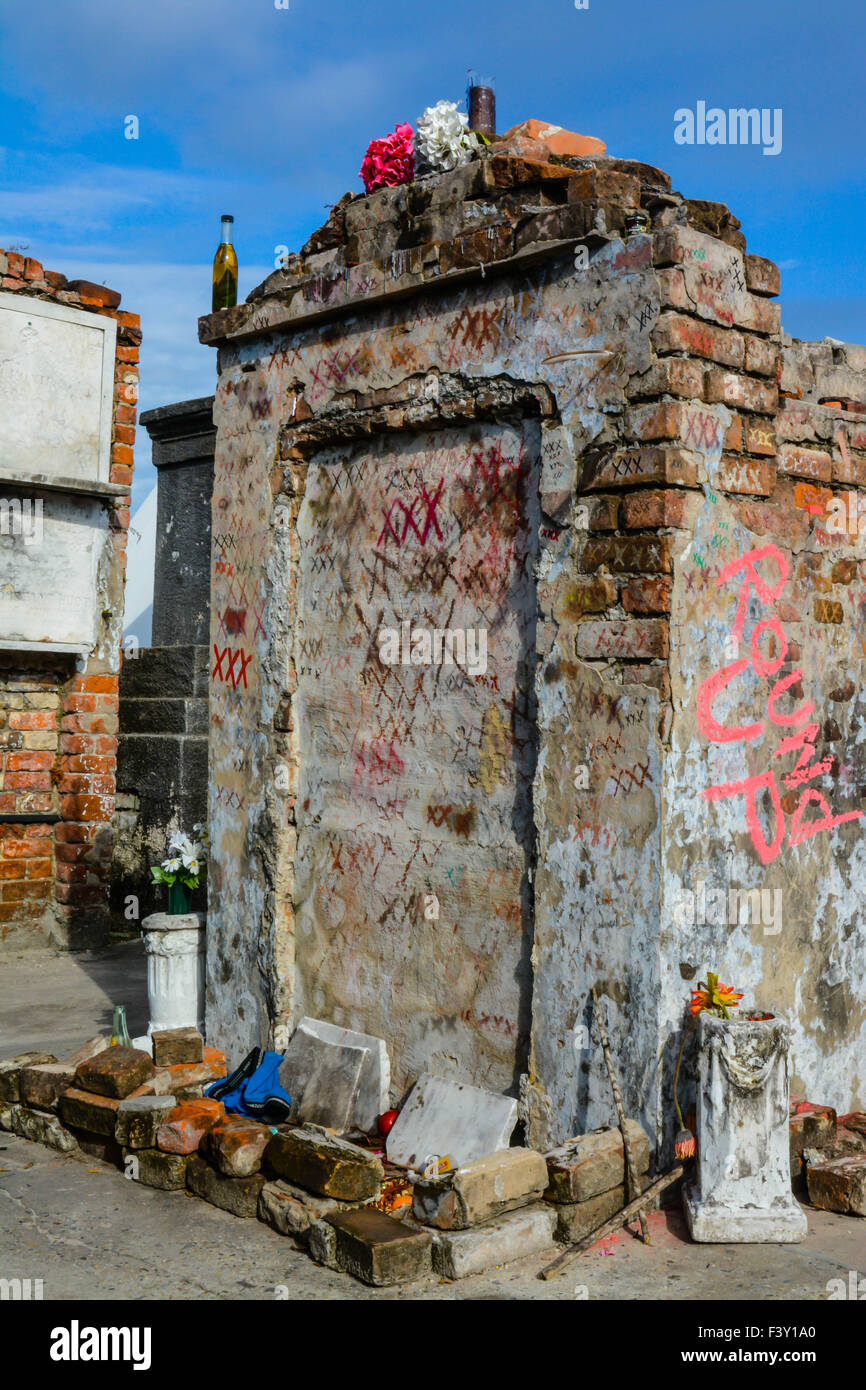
<point x="90" y="1234"/>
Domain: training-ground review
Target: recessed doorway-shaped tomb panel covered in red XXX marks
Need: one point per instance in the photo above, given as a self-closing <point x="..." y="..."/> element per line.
<point x="415" y="722"/>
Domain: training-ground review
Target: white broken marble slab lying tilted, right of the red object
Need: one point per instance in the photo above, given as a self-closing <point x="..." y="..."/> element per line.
<point x="450" y="1120"/>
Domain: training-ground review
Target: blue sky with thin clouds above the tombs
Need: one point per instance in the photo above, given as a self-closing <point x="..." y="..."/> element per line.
<point x="266" y="113"/>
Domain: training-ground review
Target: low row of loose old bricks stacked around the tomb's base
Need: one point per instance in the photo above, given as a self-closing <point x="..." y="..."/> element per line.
<point x="149" y="1115"/>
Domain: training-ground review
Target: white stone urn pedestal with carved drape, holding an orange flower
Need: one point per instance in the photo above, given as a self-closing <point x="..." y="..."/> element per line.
<point x="743" y="1188"/>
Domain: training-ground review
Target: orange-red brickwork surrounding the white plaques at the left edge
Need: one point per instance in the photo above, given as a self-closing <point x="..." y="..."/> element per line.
<point x="59" y="725"/>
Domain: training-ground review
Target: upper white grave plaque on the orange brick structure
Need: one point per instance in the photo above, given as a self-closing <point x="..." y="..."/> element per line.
<point x="56" y="390"/>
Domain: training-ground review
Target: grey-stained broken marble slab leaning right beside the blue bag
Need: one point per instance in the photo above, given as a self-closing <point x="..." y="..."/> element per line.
<point x="323" y="1079"/>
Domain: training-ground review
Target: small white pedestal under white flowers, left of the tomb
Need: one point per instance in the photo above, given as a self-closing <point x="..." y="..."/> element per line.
<point x="176" y="970"/>
